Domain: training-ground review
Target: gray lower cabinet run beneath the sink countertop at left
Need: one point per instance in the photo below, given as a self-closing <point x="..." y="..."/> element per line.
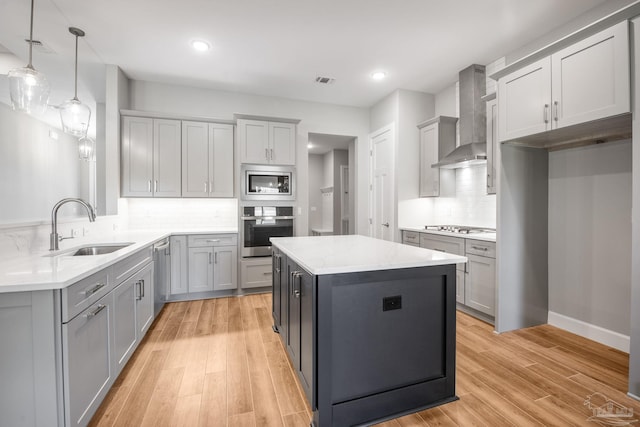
<point x="63" y="349"/>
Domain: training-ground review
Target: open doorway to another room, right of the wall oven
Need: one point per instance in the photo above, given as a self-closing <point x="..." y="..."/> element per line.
<point x="331" y="182"/>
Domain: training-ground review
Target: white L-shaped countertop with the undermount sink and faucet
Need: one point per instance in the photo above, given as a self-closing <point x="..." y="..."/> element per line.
<point x="57" y="270"/>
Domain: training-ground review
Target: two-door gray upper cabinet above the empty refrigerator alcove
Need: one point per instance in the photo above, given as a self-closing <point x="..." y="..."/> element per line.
<point x="586" y="81"/>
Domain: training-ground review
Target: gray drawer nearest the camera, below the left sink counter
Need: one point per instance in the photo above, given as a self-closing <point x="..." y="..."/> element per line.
<point x="82" y="294"/>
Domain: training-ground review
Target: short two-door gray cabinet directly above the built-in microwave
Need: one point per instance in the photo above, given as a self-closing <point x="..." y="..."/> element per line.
<point x="267" y="142"/>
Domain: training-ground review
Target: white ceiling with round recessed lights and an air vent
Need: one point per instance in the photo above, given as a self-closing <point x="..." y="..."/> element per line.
<point x="278" y="47"/>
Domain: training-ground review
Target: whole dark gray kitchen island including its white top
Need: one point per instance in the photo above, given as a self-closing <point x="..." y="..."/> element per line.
<point x="369" y="325"/>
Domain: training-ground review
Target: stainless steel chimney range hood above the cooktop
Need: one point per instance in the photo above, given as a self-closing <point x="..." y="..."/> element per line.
<point x="473" y="121"/>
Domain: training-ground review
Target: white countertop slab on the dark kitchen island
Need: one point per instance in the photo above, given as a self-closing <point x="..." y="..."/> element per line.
<point x="353" y="253"/>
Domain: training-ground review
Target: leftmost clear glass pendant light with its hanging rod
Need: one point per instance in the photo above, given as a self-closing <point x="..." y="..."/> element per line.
<point x="29" y="89"/>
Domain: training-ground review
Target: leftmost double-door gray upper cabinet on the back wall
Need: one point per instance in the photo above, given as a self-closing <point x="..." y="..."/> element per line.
<point x="151" y="150"/>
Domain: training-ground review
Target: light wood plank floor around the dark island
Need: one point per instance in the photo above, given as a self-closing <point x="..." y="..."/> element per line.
<point x="218" y="363"/>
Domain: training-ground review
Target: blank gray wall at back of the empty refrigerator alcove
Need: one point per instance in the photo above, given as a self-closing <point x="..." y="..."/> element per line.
<point x="590" y="234"/>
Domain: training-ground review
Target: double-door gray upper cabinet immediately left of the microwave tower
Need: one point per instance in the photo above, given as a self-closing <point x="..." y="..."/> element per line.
<point x="207" y="159"/>
